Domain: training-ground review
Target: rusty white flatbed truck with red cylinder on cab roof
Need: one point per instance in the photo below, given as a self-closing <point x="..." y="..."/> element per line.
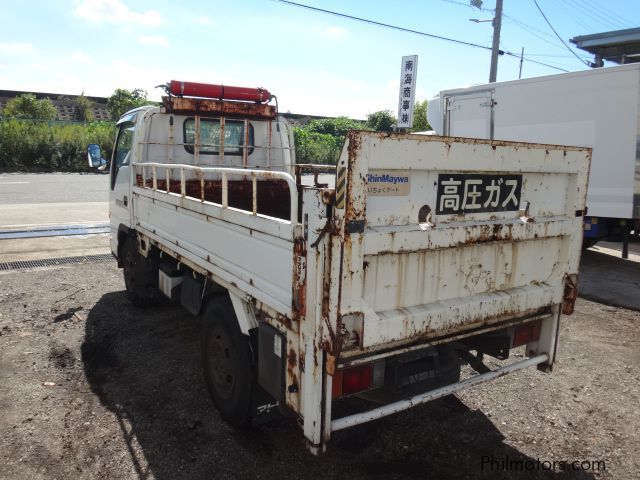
<point x="419" y="254"/>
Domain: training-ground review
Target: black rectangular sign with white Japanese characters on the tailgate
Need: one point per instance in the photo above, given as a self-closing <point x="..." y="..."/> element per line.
<point x="477" y="193"/>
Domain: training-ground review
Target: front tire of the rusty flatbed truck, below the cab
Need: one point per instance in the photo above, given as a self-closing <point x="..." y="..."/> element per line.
<point x="140" y="276"/>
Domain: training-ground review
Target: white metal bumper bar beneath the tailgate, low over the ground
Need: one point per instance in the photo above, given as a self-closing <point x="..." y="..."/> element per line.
<point x="352" y="420"/>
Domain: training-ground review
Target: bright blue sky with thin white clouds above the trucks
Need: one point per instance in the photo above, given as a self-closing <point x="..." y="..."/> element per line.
<point x="315" y="63"/>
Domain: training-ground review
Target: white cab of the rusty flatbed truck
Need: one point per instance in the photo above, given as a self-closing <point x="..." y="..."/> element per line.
<point x="176" y="132"/>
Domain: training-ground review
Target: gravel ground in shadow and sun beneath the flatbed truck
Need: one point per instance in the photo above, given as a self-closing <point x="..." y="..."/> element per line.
<point x="94" y="388"/>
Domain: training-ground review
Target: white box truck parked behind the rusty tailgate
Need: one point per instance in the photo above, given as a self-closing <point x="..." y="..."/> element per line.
<point x="598" y="108"/>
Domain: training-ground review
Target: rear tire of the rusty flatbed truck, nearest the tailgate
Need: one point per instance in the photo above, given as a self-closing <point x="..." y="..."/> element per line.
<point x="227" y="363"/>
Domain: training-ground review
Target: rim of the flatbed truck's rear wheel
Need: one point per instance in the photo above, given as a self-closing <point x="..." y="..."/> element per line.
<point x="221" y="362"/>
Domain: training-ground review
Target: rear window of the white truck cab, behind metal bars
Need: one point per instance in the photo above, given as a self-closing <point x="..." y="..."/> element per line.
<point x="210" y="136"/>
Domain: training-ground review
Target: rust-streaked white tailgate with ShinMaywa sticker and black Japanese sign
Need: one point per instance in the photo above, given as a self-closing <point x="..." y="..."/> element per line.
<point x="442" y="235"/>
